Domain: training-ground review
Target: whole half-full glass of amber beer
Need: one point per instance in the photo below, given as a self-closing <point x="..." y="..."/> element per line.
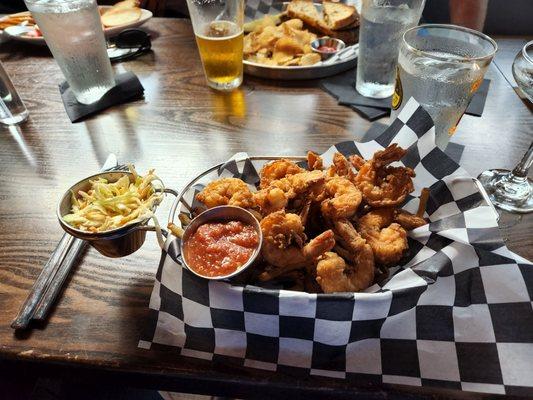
<point x="218" y="27"/>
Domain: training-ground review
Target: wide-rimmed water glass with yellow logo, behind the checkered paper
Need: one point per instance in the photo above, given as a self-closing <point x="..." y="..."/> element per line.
<point x="441" y="66"/>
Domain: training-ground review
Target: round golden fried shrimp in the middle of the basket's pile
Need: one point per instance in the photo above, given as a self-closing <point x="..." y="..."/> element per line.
<point x="342" y="198"/>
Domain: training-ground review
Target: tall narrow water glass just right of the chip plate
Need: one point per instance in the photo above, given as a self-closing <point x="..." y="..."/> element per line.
<point x="383" y="23"/>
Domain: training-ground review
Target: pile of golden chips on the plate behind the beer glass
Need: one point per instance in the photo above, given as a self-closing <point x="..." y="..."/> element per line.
<point x="285" y="44"/>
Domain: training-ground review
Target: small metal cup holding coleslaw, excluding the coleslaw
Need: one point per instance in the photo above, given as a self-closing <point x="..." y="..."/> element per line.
<point x="118" y="242"/>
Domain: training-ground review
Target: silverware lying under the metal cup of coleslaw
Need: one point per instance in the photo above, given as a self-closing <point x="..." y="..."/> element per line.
<point x="49" y="271"/>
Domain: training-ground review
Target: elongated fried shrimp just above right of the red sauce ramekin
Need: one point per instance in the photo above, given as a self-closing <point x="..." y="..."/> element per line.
<point x="276" y="196"/>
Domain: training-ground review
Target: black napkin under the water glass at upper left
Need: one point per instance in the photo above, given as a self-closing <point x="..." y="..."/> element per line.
<point x="128" y="87"/>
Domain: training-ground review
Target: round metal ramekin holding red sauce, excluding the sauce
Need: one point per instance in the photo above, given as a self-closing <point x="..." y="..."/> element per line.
<point x="222" y="214"/>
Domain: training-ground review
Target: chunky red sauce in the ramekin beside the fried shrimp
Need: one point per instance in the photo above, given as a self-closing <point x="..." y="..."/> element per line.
<point x="220" y="248"/>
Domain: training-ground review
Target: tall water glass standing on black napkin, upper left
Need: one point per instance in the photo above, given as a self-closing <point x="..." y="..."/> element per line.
<point x="73" y="32"/>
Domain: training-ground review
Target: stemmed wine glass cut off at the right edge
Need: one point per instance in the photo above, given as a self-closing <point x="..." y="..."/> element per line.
<point x="512" y="190"/>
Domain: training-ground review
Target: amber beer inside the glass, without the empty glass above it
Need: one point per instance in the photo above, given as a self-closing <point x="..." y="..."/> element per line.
<point x="220" y="48"/>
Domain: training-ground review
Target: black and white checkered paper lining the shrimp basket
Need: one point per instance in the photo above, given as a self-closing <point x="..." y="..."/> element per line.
<point x="457" y="314"/>
